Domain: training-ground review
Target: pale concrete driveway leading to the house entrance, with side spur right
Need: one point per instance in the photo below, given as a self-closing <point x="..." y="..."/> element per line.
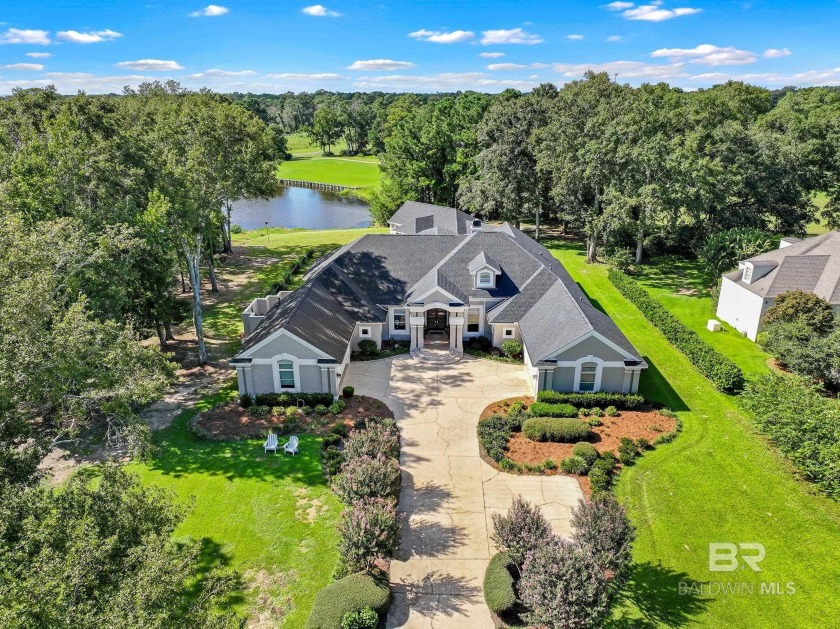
<point x="448" y="492"/>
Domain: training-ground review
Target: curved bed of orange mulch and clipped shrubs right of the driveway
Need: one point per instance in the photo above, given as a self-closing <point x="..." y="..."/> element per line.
<point x="588" y="446"/>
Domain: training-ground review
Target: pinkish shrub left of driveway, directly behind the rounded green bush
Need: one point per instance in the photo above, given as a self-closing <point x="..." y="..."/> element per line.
<point x="369" y="530"/>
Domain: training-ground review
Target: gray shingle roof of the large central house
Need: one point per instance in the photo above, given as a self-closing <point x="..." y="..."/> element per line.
<point x="355" y="282"/>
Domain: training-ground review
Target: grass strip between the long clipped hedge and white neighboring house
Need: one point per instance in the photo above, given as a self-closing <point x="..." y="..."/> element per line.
<point x="679" y="285"/>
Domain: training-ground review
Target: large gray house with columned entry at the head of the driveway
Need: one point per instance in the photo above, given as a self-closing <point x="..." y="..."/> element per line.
<point x="439" y="278"/>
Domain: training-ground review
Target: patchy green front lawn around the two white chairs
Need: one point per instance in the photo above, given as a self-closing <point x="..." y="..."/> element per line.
<point x="271" y="517"/>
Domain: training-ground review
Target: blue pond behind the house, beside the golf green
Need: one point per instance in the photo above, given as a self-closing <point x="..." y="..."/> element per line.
<point x="304" y="208"/>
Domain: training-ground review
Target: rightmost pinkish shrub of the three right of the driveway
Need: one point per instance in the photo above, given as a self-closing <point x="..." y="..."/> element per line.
<point x="602" y="527"/>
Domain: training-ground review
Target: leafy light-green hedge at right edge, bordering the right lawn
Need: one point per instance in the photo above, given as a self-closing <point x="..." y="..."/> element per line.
<point x="803" y="424"/>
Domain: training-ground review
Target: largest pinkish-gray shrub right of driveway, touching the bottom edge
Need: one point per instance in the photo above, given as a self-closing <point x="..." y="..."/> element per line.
<point x="563" y="586"/>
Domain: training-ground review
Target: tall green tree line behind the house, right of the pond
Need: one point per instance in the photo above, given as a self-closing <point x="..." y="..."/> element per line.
<point x="651" y="169"/>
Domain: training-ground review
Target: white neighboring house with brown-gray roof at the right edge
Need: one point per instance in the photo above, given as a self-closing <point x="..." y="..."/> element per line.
<point x="811" y="265"/>
